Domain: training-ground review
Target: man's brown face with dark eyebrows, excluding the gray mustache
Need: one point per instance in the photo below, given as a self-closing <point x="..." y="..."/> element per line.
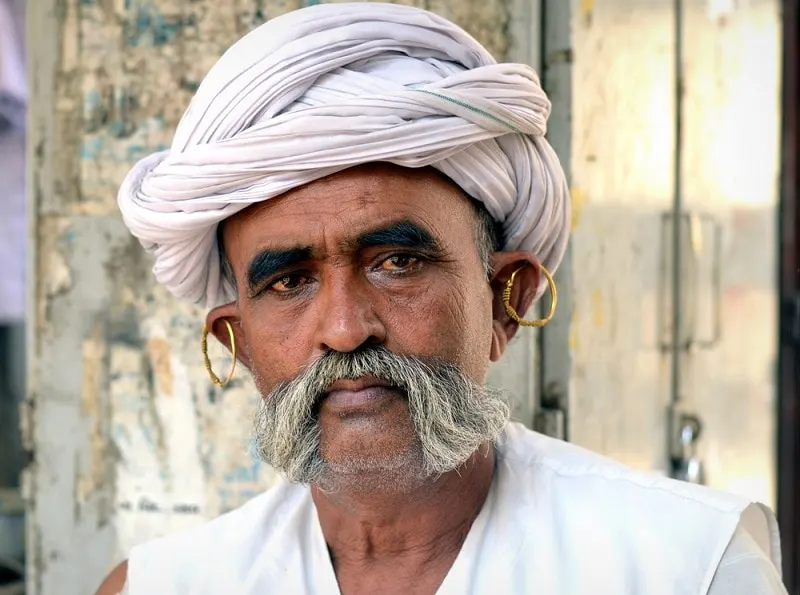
<point x="373" y="258"/>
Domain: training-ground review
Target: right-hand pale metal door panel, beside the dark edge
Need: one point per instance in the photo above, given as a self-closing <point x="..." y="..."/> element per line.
<point x="730" y="174"/>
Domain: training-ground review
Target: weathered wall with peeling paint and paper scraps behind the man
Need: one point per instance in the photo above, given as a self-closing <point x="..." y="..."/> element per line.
<point x="129" y="440"/>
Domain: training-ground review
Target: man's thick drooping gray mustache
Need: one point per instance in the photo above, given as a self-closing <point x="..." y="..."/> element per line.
<point x="451" y="414"/>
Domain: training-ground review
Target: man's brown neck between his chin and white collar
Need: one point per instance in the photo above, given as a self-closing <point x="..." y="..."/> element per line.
<point x="420" y="526"/>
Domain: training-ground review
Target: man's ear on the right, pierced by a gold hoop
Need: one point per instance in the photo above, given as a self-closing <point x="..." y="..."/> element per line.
<point x="523" y="293"/>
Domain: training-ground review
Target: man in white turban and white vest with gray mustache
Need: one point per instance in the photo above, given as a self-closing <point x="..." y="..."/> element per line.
<point x="367" y="204"/>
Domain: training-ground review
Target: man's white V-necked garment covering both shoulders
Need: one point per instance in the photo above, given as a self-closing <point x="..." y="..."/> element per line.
<point x="558" y="520"/>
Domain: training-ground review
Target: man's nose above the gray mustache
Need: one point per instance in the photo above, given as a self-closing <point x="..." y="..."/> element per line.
<point x="346" y="317"/>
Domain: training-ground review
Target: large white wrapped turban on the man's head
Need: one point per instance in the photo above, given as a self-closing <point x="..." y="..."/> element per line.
<point x="325" y="88"/>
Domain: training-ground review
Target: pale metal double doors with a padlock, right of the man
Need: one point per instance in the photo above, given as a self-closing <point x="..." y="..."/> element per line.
<point x="623" y="160"/>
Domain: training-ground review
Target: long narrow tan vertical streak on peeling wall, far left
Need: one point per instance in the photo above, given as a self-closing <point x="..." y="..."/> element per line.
<point x="93" y="351"/>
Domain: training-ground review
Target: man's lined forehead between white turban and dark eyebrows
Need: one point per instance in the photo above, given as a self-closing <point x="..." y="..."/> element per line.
<point x="341" y="206"/>
